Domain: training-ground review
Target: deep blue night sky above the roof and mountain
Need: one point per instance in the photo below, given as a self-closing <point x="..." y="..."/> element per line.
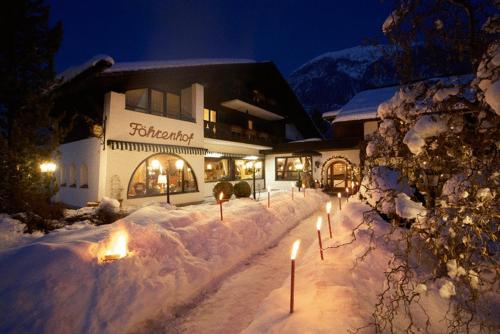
<point x="287" y="32"/>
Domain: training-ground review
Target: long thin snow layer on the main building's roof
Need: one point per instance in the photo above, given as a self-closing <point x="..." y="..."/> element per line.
<point x="154" y="65"/>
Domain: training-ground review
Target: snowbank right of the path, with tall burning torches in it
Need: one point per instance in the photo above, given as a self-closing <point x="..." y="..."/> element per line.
<point x="334" y="296"/>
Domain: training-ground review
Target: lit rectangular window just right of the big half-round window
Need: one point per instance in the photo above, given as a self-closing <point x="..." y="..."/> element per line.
<point x="230" y="169"/>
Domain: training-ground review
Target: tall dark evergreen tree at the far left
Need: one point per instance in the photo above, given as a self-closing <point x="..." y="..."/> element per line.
<point x="27" y="47"/>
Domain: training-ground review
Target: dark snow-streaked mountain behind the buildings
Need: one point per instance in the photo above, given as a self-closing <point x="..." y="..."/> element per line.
<point x="329" y="81"/>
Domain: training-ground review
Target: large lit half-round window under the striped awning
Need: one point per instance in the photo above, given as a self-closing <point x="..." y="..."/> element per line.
<point x="156" y="173"/>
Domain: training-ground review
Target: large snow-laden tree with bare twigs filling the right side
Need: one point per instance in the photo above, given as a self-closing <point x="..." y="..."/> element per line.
<point x="433" y="168"/>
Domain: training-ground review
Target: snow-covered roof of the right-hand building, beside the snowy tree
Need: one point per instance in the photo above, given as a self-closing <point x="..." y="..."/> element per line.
<point x="363" y="105"/>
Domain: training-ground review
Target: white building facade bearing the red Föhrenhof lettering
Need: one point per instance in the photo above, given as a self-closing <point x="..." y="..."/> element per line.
<point x="109" y="170"/>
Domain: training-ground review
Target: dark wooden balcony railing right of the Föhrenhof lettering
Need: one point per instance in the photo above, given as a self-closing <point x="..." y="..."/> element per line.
<point x="239" y="134"/>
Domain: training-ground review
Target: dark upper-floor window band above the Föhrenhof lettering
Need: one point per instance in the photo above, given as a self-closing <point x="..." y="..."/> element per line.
<point x="155" y="102"/>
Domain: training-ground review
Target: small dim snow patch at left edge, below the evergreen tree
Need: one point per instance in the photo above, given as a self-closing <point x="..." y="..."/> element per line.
<point x="11" y="233"/>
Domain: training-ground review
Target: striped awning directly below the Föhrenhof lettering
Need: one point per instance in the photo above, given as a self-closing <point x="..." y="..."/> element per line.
<point x="157" y="148"/>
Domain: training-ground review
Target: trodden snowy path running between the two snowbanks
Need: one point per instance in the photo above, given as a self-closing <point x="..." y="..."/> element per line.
<point x="232" y="307"/>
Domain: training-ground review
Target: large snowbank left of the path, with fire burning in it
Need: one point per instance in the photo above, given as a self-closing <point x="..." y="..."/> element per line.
<point x="56" y="285"/>
